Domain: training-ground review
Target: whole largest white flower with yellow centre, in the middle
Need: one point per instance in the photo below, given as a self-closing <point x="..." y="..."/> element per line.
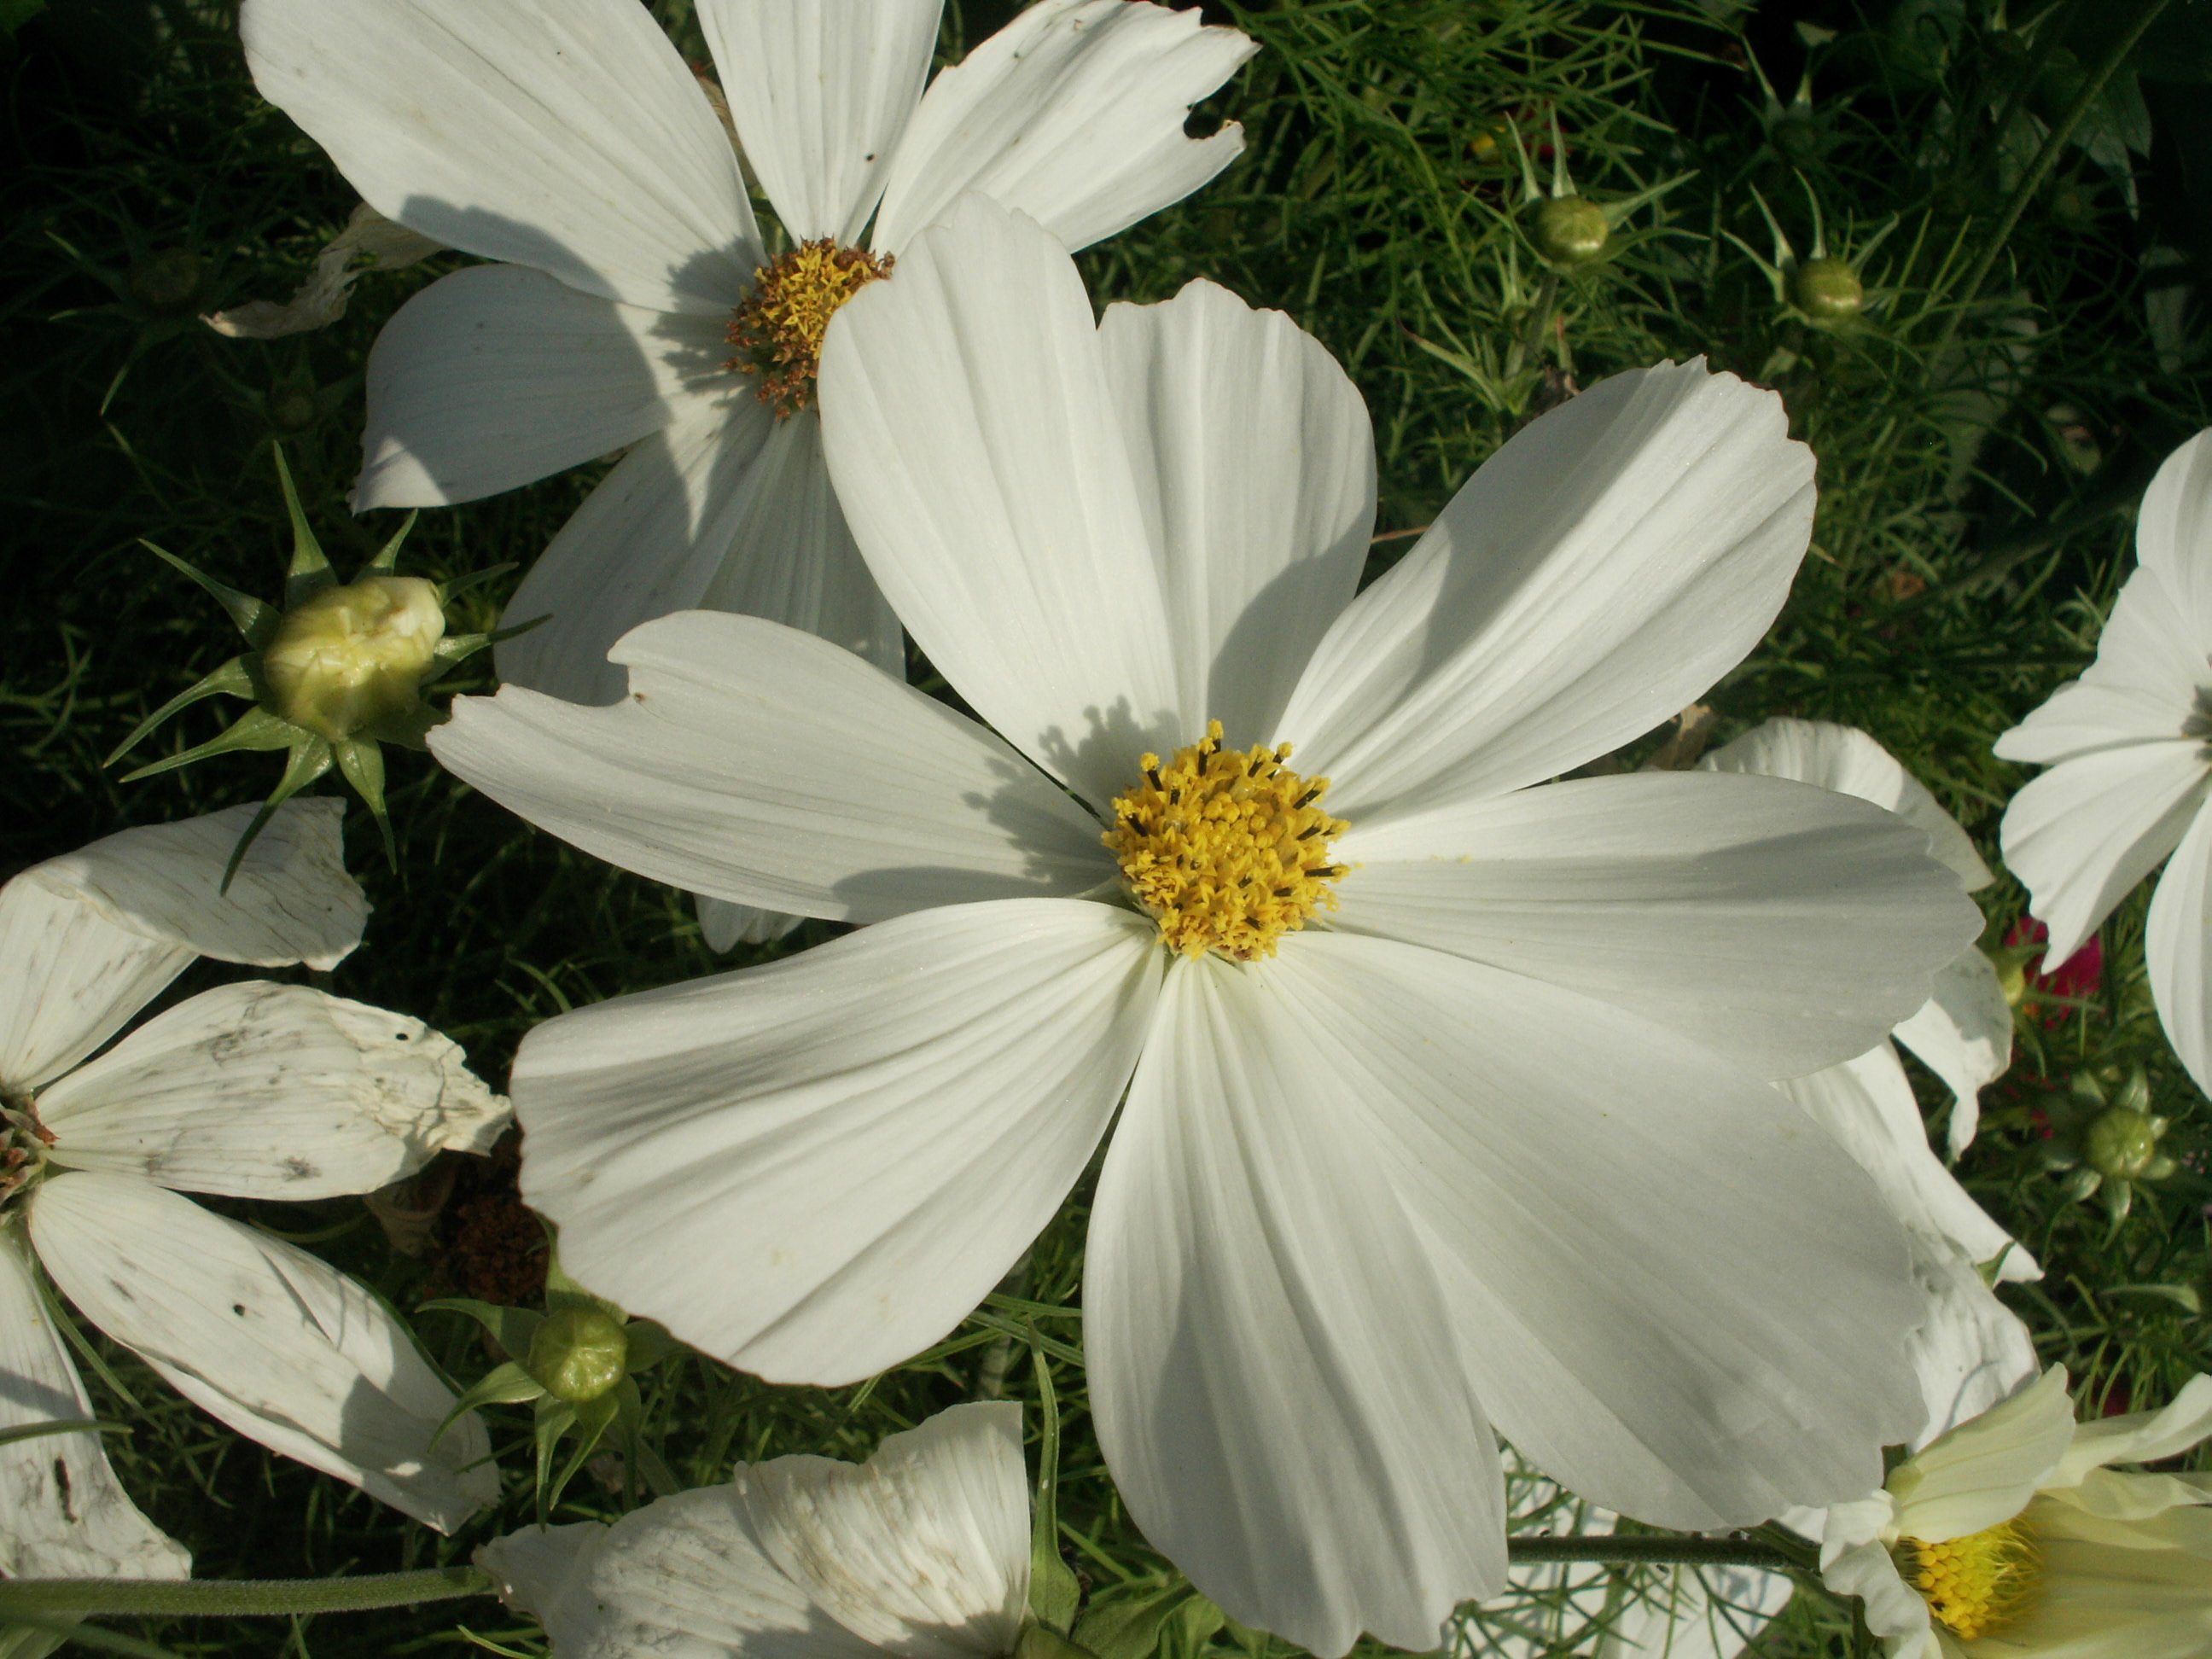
<point x="1488" y="1142"/>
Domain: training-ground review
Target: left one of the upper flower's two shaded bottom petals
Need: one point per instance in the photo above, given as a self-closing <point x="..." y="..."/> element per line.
<point x="645" y="543"/>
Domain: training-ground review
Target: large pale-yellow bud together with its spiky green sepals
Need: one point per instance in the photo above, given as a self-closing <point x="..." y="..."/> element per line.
<point x="333" y="676"/>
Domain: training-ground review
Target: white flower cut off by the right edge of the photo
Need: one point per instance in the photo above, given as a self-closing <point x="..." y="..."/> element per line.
<point x="2131" y="769"/>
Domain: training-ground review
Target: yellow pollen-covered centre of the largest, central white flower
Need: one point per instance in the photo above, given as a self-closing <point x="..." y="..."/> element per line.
<point x="1227" y="848"/>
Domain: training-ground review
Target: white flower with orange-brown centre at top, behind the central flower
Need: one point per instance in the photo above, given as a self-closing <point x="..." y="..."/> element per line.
<point x="567" y="140"/>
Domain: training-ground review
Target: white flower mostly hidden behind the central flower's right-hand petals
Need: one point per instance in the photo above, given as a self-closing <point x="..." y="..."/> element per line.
<point x="1972" y="1350"/>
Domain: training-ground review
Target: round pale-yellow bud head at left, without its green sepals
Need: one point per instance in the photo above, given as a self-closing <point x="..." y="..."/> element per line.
<point x="355" y="656"/>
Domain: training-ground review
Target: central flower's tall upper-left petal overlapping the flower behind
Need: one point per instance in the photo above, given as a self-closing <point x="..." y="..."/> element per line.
<point x="974" y="444"/>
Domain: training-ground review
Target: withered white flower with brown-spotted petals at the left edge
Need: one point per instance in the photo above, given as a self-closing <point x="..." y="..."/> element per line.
<point x="260" y="1092"/>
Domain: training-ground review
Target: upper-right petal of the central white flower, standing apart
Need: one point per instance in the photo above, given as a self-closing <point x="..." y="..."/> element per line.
<point x="1598" y="574"/>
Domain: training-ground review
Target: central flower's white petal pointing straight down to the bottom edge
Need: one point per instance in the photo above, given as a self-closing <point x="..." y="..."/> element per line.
<point x="1271" y="1361"/>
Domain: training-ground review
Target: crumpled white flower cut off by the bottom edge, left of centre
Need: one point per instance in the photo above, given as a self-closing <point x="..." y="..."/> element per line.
<point x="921" y="1552"/>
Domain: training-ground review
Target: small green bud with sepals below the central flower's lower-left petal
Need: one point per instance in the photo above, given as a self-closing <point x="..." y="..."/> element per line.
<point x="576" y="1366"/>
